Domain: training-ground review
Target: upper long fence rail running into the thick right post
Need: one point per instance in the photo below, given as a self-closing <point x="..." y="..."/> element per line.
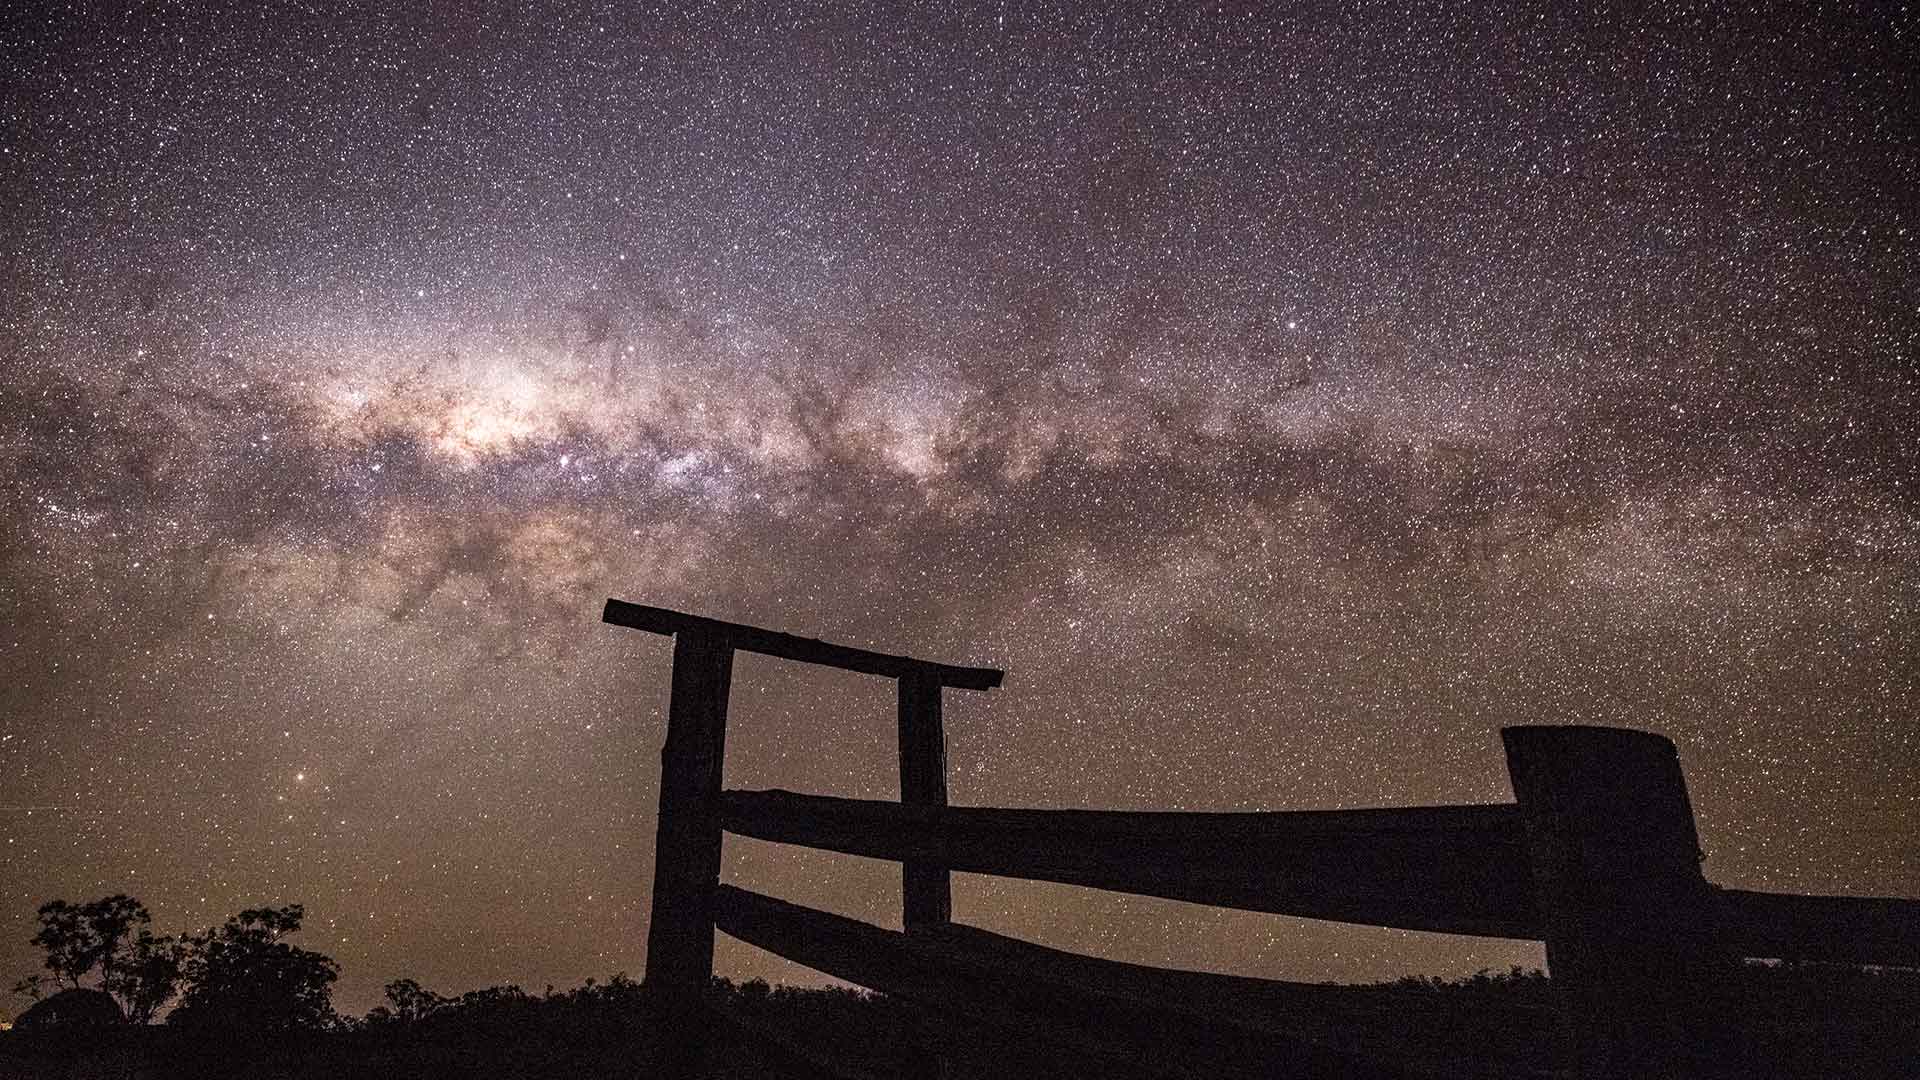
<point x="1449" y="870"/>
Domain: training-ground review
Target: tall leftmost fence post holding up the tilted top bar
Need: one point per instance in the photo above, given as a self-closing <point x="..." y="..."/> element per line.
<point x="686" y="852"/>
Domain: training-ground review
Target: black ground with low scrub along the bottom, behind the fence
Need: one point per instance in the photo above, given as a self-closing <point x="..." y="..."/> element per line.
<point x="1779" y="1023"/>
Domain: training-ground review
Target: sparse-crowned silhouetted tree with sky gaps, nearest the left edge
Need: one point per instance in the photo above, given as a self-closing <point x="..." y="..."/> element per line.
<point x="108" y="937"/>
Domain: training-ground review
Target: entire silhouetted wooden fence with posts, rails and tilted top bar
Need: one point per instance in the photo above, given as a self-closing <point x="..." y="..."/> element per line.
<point x="1598" y="858"/>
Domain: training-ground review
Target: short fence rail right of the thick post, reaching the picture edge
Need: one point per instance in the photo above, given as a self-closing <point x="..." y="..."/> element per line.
<point x="1842" y="929"/>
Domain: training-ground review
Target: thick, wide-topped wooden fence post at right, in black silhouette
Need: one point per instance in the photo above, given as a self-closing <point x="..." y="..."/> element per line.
<point x="1616" y="864"/>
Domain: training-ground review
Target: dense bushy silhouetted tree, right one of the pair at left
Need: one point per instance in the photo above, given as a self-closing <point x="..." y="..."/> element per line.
<point x="245" y="977"/>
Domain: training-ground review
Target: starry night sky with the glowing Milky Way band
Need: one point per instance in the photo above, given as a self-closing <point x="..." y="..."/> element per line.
<point x="1284" y="401"/>
